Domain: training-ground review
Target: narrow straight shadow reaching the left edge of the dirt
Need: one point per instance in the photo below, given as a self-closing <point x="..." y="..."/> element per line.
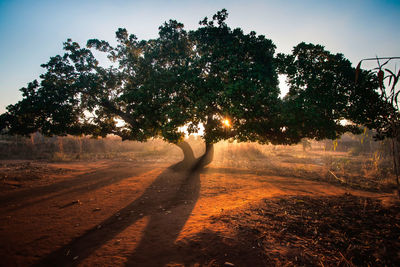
<point x="80" y="184"/>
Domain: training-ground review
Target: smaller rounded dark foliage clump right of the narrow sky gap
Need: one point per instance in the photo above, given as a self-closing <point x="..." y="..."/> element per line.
<point x="323" y="100"/>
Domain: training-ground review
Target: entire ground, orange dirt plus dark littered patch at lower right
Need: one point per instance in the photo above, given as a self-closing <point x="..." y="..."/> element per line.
<point x="145" y="213"/>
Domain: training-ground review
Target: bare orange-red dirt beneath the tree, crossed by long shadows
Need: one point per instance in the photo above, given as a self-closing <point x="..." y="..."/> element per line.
<point x="112" y="213"/>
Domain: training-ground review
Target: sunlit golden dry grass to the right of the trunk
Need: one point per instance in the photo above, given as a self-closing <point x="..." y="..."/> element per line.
<point x="369" y="171"/>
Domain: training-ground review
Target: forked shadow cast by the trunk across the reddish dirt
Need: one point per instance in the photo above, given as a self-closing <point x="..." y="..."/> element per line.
<point x="175" y="190"/>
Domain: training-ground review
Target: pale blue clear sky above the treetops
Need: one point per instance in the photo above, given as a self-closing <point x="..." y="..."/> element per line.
<point x="33" y="31"/>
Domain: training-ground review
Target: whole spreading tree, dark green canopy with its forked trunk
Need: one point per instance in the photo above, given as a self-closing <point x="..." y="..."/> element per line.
<point x="204" y="76"/>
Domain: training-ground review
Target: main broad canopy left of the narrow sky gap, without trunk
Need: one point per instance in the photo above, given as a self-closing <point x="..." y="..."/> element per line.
<point x="157" y="86"/>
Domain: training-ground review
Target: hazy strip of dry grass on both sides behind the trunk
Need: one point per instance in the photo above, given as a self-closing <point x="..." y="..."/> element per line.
<point x="364" y="165"/>
